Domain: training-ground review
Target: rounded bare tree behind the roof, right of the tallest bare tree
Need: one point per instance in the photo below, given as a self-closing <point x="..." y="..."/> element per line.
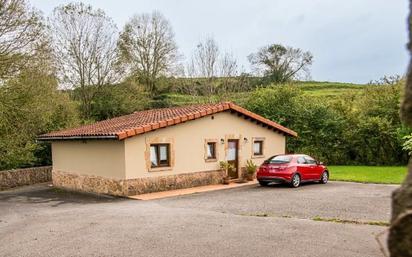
<point x="147" y="44"/>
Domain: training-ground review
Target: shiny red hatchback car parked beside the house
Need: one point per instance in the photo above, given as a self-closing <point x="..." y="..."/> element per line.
<point x="292" y="169"/>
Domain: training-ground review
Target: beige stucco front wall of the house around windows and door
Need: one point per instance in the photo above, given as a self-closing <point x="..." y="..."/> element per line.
<point x="188" y="144"/>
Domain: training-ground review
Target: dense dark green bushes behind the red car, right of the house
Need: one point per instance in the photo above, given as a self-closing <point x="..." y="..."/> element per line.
<point x="357" y="129"/>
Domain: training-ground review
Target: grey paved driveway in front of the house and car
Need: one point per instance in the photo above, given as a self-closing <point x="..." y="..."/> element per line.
<point x="43" y="221"/>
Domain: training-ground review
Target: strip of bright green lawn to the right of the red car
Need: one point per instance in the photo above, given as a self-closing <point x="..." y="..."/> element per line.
<point x="369" y="174"/>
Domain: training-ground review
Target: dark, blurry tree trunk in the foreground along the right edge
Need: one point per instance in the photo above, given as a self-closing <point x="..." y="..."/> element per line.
<point x="400" y="236"/>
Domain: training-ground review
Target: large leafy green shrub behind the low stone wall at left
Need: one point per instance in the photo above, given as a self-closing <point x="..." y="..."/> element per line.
<point x="30" y="104"/>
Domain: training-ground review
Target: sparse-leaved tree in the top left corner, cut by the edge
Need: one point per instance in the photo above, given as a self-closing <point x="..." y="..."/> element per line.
<point x="21" y="34"/>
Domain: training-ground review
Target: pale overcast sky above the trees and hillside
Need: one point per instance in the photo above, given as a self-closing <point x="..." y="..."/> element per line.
<point x="352" y="40"/>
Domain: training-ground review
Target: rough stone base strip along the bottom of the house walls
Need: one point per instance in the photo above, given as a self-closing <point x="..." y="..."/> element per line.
<point x="126" y="187"/>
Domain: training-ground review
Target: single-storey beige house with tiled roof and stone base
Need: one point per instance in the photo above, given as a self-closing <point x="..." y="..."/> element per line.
<point x="162" y="149"/>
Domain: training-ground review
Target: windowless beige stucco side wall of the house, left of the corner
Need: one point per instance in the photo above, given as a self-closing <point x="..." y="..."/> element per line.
<point x="93" y="157"/>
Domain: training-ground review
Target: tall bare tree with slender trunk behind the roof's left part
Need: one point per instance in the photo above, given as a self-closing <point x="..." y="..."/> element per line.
<point x="84" y="42"/>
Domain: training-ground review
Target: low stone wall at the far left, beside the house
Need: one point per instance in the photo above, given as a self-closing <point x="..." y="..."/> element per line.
<point x="21" y="177"/>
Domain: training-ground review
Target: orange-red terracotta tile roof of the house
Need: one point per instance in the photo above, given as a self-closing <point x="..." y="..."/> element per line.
<point x="145" y="121"/>
